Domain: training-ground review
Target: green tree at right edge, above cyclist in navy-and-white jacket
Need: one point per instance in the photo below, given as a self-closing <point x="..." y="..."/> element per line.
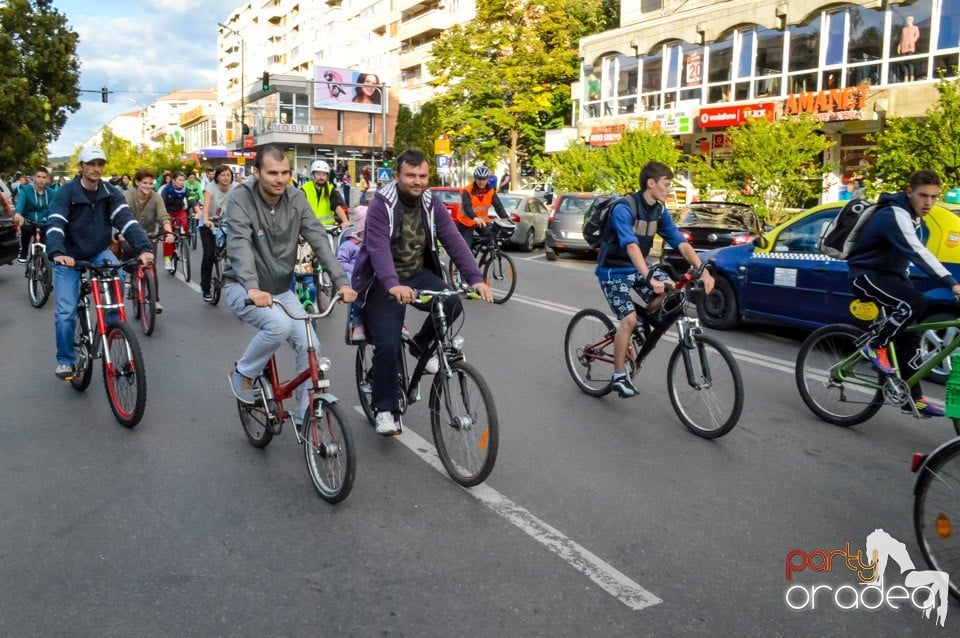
<point x="906" y="145"/>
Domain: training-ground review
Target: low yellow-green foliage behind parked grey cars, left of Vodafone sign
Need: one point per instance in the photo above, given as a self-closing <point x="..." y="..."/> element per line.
<point x="609" y="169"/>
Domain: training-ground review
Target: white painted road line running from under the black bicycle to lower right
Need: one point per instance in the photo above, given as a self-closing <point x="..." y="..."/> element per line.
<point x="610" y="579"/>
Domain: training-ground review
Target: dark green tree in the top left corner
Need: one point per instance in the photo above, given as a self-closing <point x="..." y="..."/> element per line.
<point x="39" y="83"/>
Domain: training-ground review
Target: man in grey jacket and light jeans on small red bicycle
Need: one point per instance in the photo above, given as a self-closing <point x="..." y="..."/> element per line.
<point x="263" y="219"/>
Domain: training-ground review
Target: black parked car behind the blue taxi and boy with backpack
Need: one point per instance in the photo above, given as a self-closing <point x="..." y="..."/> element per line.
<point x="709" y="225"/>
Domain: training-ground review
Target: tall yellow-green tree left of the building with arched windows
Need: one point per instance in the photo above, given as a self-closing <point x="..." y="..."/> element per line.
<point x="505" y="76"/>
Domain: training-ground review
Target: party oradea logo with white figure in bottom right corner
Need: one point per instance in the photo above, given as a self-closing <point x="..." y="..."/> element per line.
<point x="924" y="590"/>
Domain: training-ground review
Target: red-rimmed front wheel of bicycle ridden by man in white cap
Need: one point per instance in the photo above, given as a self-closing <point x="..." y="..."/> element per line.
<point x="124" y="376"/>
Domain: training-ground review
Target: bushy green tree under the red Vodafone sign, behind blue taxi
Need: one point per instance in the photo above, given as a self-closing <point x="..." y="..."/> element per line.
<point x="773" y="165"/>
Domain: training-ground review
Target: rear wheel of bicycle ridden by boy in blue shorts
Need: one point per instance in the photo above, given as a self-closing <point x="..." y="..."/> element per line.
<point x="588" y="349"/>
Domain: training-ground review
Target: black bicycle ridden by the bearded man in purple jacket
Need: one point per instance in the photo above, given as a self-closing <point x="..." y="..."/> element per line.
<point x="463" y="417"/>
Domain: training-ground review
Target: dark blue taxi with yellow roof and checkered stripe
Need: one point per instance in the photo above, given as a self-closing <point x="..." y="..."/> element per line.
<point x="781" y="277"/>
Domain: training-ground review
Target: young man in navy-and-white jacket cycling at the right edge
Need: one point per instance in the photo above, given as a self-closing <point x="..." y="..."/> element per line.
<point x="885" y="247"/>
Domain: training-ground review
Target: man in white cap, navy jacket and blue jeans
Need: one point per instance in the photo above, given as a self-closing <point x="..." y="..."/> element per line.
<point x="82" y="221"/>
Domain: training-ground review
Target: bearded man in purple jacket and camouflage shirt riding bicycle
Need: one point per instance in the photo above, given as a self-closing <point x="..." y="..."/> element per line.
<point x="399" y="255"/>
